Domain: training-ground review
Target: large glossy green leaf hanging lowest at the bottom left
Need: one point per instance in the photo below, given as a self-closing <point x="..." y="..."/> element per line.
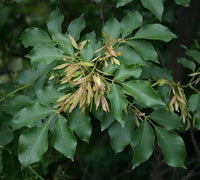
<point x="33" y="143"/>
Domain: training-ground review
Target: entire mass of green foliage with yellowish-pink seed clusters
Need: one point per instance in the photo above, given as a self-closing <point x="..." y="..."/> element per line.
<point x="77" y="77"/>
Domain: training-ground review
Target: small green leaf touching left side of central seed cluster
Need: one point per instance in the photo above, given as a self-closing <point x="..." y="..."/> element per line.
<point x="48" y="95"/>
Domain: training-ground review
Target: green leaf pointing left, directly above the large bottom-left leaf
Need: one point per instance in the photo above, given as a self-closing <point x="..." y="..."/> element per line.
<point x="30" y="114"/>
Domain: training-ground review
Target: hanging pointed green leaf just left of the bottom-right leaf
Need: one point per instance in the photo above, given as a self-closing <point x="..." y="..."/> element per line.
<point x="142" y="143"/>
